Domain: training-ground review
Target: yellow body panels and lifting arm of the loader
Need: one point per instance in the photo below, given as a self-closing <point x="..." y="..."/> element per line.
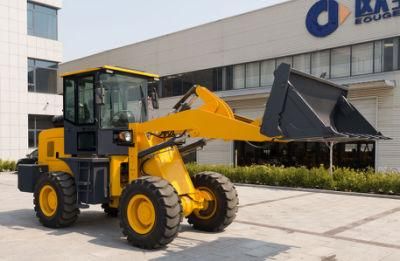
<point x="213" y="119"/>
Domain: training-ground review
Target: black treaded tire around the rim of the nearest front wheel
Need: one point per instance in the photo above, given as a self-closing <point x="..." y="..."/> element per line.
<point x="167" y="207"/>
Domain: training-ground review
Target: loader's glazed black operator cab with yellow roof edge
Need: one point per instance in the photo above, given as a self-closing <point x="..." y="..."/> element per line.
<point x="100" y="103"/>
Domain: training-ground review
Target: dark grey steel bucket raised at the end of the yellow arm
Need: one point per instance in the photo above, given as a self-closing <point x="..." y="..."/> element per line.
<point x="302" y="107"/>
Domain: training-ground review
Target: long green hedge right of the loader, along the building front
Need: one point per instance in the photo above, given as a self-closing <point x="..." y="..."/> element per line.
<point x="342" y="179"/>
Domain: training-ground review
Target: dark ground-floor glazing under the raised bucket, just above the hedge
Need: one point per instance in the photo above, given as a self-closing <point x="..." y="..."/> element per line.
<point x="360" y="155"/>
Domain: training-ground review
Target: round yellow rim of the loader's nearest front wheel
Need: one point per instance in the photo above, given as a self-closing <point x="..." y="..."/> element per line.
<point x="141" y="214"/>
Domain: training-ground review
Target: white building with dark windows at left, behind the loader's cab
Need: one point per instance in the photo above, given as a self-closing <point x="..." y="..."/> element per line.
<point x="29" y="58"/>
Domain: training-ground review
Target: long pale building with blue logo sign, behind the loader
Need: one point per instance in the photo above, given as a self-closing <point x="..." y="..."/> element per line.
<point x="350" y="42"/>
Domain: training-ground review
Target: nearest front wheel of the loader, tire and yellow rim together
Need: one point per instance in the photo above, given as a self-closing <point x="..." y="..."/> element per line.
<point x="151" y="193"/>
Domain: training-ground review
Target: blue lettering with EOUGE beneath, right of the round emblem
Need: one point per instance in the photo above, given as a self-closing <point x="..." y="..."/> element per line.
<point x="368" y="11"/>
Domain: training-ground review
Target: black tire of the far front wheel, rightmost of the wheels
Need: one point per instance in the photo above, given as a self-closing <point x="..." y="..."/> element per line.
<point x="226" y="202"/>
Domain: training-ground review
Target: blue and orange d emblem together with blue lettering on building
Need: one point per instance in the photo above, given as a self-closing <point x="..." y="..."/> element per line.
<point x="366" y="11"/>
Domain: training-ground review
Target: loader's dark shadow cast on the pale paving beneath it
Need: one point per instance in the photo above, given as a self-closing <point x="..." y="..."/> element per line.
<point x="105" y="232"/>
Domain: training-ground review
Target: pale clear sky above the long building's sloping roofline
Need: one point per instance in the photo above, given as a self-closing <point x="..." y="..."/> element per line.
<point x="90" y="26"/>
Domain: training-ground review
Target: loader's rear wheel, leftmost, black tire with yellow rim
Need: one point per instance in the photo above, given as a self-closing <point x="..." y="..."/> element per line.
<point x="55" y="200"/>
